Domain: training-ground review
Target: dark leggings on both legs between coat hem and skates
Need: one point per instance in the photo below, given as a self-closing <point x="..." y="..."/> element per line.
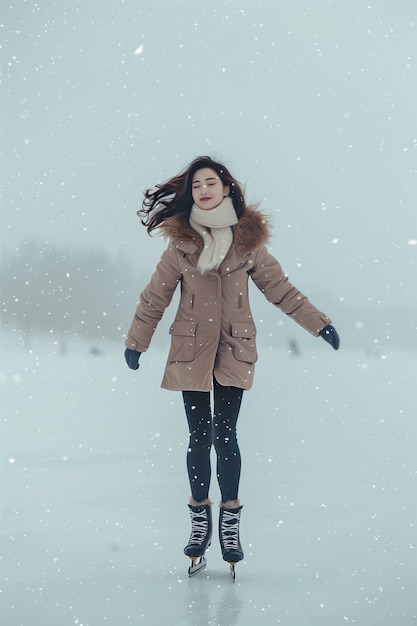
<point x="220" y="431"/>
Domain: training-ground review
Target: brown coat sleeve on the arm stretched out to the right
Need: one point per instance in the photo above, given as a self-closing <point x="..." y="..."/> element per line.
<point x="269" y="277"/>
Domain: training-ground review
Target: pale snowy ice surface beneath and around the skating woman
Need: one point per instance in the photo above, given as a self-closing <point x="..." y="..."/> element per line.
<point x="94" y="493"/>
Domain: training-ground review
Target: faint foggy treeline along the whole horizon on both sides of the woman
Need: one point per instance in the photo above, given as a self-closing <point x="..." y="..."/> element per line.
<point x="91" y="294"/>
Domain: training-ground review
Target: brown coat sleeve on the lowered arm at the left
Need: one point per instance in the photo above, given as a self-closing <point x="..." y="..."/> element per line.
<point x="153" y="301"/>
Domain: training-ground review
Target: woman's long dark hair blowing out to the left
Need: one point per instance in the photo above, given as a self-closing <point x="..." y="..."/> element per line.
<point x="175" y="196"/>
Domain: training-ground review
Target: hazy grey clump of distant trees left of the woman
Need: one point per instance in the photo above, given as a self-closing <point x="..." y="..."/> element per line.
<point x="75" y="291"/>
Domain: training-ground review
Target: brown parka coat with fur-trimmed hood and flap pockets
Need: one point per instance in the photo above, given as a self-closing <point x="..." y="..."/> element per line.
<point x="214" y="332"/>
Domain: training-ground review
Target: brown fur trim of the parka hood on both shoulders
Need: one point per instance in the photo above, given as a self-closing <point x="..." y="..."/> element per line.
<point x="251" y="231"/>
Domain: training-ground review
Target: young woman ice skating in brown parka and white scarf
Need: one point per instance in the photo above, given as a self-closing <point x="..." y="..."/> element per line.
<point x="216" y="242"/>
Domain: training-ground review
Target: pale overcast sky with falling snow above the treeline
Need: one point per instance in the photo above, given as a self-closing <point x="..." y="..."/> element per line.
<point x="311" y="104"/>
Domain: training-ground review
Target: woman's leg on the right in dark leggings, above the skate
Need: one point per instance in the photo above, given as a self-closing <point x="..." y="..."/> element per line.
<point x="227" y="402"/>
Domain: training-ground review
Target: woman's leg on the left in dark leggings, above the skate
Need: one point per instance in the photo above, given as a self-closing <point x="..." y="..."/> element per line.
<point x="198" y="412"/>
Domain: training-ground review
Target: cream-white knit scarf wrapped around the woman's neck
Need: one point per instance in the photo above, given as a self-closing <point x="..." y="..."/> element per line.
<point x="214" y="227"/>
